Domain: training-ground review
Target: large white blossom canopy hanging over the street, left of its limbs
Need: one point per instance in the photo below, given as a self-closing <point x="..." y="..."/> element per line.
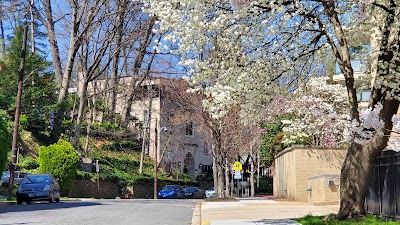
<point x="250" y="46"/>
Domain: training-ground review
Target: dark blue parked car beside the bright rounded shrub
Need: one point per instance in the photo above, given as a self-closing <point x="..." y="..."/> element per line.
<point x="38" y="187"/>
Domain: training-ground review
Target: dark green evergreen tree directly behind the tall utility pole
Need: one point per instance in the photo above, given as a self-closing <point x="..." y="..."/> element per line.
<point x="39" y="94"/>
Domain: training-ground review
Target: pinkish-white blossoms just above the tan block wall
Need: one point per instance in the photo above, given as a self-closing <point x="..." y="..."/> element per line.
<point x="321" y="114"/>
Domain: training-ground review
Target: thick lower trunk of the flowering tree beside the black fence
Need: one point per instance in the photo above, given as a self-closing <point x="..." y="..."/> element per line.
<point x="359" y="165"/>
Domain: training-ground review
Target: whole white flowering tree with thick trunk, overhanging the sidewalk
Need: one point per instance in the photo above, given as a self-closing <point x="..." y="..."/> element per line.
<point x="248" y="48"/>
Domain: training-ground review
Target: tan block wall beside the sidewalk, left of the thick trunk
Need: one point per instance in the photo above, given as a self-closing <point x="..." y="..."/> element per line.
<point x="296" y="165"/>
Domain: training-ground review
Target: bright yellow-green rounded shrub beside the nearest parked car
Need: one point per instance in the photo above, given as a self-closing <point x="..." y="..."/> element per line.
<point x="60" y="160"/>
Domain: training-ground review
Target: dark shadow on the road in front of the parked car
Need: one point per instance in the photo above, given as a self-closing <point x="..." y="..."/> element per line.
<point x="45" y="206"/>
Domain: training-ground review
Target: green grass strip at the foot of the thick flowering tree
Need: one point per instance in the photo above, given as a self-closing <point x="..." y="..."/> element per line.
<point x="330" y="220"/>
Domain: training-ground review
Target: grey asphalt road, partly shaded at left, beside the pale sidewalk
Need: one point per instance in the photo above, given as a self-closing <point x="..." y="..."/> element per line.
<point x="99" y="212"/>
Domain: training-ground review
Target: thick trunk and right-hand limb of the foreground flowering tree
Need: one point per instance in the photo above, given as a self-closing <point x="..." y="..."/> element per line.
<point x="360" y="160"/>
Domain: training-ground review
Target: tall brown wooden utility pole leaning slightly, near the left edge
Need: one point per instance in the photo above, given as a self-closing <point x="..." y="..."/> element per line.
<point x="21" y="71"/>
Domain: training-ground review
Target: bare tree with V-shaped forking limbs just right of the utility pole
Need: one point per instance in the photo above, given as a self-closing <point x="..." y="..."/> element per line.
<point x="78" y="17"/>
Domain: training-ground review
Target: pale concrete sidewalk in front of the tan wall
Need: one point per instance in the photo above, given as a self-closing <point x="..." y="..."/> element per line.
<point x="259" y="211"/>
